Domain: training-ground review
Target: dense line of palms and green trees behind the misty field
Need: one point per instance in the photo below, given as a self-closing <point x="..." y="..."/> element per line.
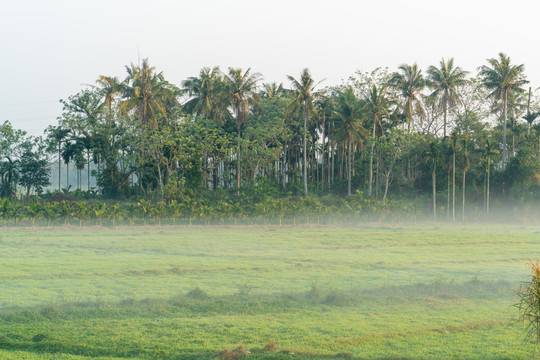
<point x="390" y="135"/>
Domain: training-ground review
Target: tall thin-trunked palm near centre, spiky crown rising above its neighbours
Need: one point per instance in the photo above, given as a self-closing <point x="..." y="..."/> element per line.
<point x="303" y="89"/>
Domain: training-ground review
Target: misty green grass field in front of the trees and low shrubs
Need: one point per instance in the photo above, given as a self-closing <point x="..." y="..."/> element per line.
<point x="365" y="292"/>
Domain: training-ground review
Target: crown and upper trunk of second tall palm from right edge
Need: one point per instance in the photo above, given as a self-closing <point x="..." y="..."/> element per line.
<point x="444" y="81"/>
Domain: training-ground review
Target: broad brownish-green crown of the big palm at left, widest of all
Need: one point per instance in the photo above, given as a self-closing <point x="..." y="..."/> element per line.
<point x="147" y="94"/>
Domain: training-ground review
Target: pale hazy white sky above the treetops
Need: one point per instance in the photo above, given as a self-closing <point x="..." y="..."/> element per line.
<point x="50" y="49"/>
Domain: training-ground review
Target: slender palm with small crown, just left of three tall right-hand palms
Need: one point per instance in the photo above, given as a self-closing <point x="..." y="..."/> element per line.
<point x="377" y="107"/>
